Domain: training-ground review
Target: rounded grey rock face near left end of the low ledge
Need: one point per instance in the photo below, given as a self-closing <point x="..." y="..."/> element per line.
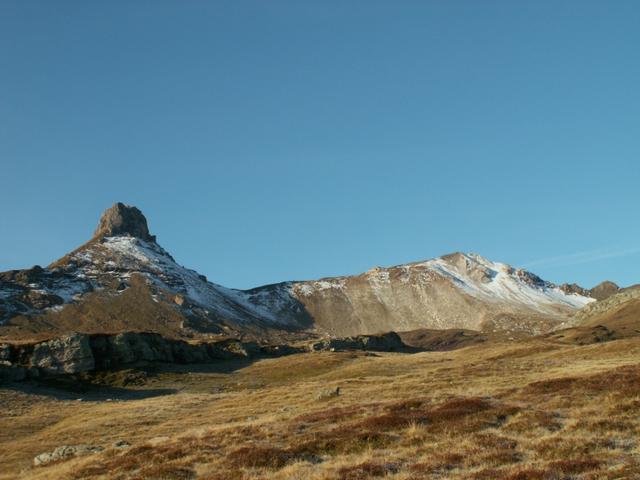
<point x="69" y="354"/>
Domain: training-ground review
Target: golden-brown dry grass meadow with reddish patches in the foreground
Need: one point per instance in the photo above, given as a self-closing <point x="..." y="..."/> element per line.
<point x="527" y="410"/>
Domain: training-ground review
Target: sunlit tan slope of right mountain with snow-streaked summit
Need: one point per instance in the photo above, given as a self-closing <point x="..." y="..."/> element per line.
<point x="458" y="290"/>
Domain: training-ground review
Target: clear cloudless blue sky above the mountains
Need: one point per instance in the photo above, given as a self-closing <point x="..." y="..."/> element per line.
<point x="276" y="140"/>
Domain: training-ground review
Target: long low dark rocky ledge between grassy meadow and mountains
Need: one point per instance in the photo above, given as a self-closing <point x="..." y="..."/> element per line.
<point x="82" y="352"/>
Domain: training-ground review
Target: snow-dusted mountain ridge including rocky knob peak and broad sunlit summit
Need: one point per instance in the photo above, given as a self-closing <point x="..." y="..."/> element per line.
<point x="122" y="278"/>
